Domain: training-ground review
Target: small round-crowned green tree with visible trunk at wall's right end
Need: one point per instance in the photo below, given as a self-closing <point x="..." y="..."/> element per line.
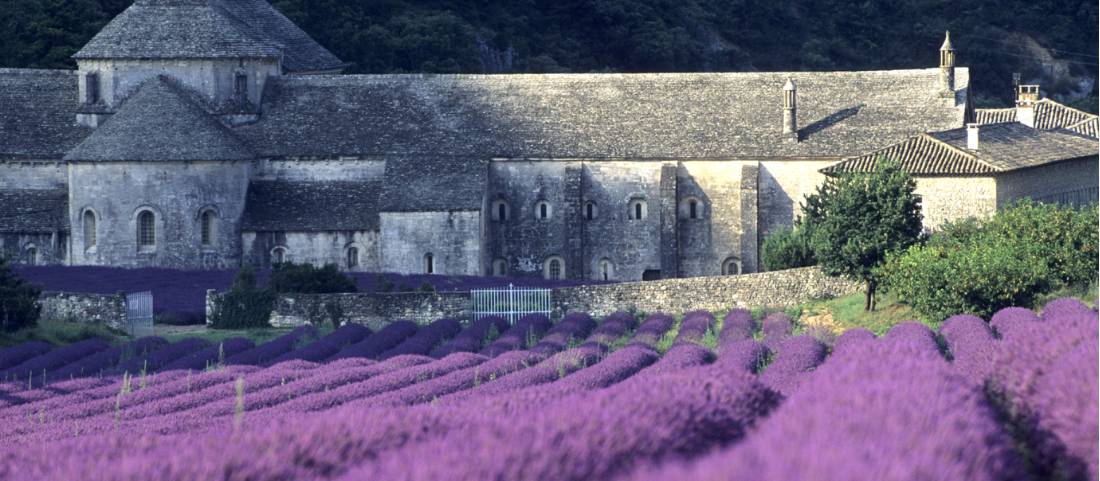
<point x="859" y="218"/>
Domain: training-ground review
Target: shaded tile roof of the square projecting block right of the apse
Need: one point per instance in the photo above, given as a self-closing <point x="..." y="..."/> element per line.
<point x="437" y="184"/>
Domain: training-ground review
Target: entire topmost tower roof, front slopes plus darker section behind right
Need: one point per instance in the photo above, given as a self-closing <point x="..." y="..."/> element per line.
<point x="208" y="29"/>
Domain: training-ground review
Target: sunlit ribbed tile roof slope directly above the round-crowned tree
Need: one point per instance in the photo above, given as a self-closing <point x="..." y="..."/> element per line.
<point x="919" y="156"/>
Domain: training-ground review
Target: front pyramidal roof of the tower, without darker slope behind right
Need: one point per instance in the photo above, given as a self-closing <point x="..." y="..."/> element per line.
<point x="177" y="29"/>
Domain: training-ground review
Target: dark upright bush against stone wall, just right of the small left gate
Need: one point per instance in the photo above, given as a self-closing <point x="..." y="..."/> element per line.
<point x="245" y="305"/>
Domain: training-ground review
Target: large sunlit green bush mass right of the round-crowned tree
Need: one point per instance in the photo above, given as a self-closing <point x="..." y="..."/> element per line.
<point x="1011" y="260"/>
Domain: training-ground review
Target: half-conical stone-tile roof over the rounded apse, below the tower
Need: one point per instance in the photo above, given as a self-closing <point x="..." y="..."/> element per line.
<point x="161" y="123"/>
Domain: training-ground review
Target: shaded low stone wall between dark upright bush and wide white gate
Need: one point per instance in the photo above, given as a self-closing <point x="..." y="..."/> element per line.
<point x="373" y="310"/>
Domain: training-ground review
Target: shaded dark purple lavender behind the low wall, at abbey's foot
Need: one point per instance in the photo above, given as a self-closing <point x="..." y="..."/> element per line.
<point x="182" y="294"/>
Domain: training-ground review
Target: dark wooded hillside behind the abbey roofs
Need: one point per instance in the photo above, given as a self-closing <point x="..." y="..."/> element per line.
<point x="1052" y="42"/>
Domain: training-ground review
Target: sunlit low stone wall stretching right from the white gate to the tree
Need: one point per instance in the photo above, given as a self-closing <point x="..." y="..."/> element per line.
<point x="777" y="289"/>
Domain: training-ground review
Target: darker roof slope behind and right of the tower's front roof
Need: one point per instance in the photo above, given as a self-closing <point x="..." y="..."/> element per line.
<point x="301" y="52"/>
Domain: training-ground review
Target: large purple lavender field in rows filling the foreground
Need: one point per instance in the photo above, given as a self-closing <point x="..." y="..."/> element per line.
<point x="1013" y="398"/>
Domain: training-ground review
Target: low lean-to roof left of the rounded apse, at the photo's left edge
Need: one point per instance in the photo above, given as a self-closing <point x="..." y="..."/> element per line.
<point x="34" y="212"/>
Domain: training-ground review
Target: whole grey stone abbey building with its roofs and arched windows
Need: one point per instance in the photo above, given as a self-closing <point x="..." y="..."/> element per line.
<point x="214" y="134"/>
